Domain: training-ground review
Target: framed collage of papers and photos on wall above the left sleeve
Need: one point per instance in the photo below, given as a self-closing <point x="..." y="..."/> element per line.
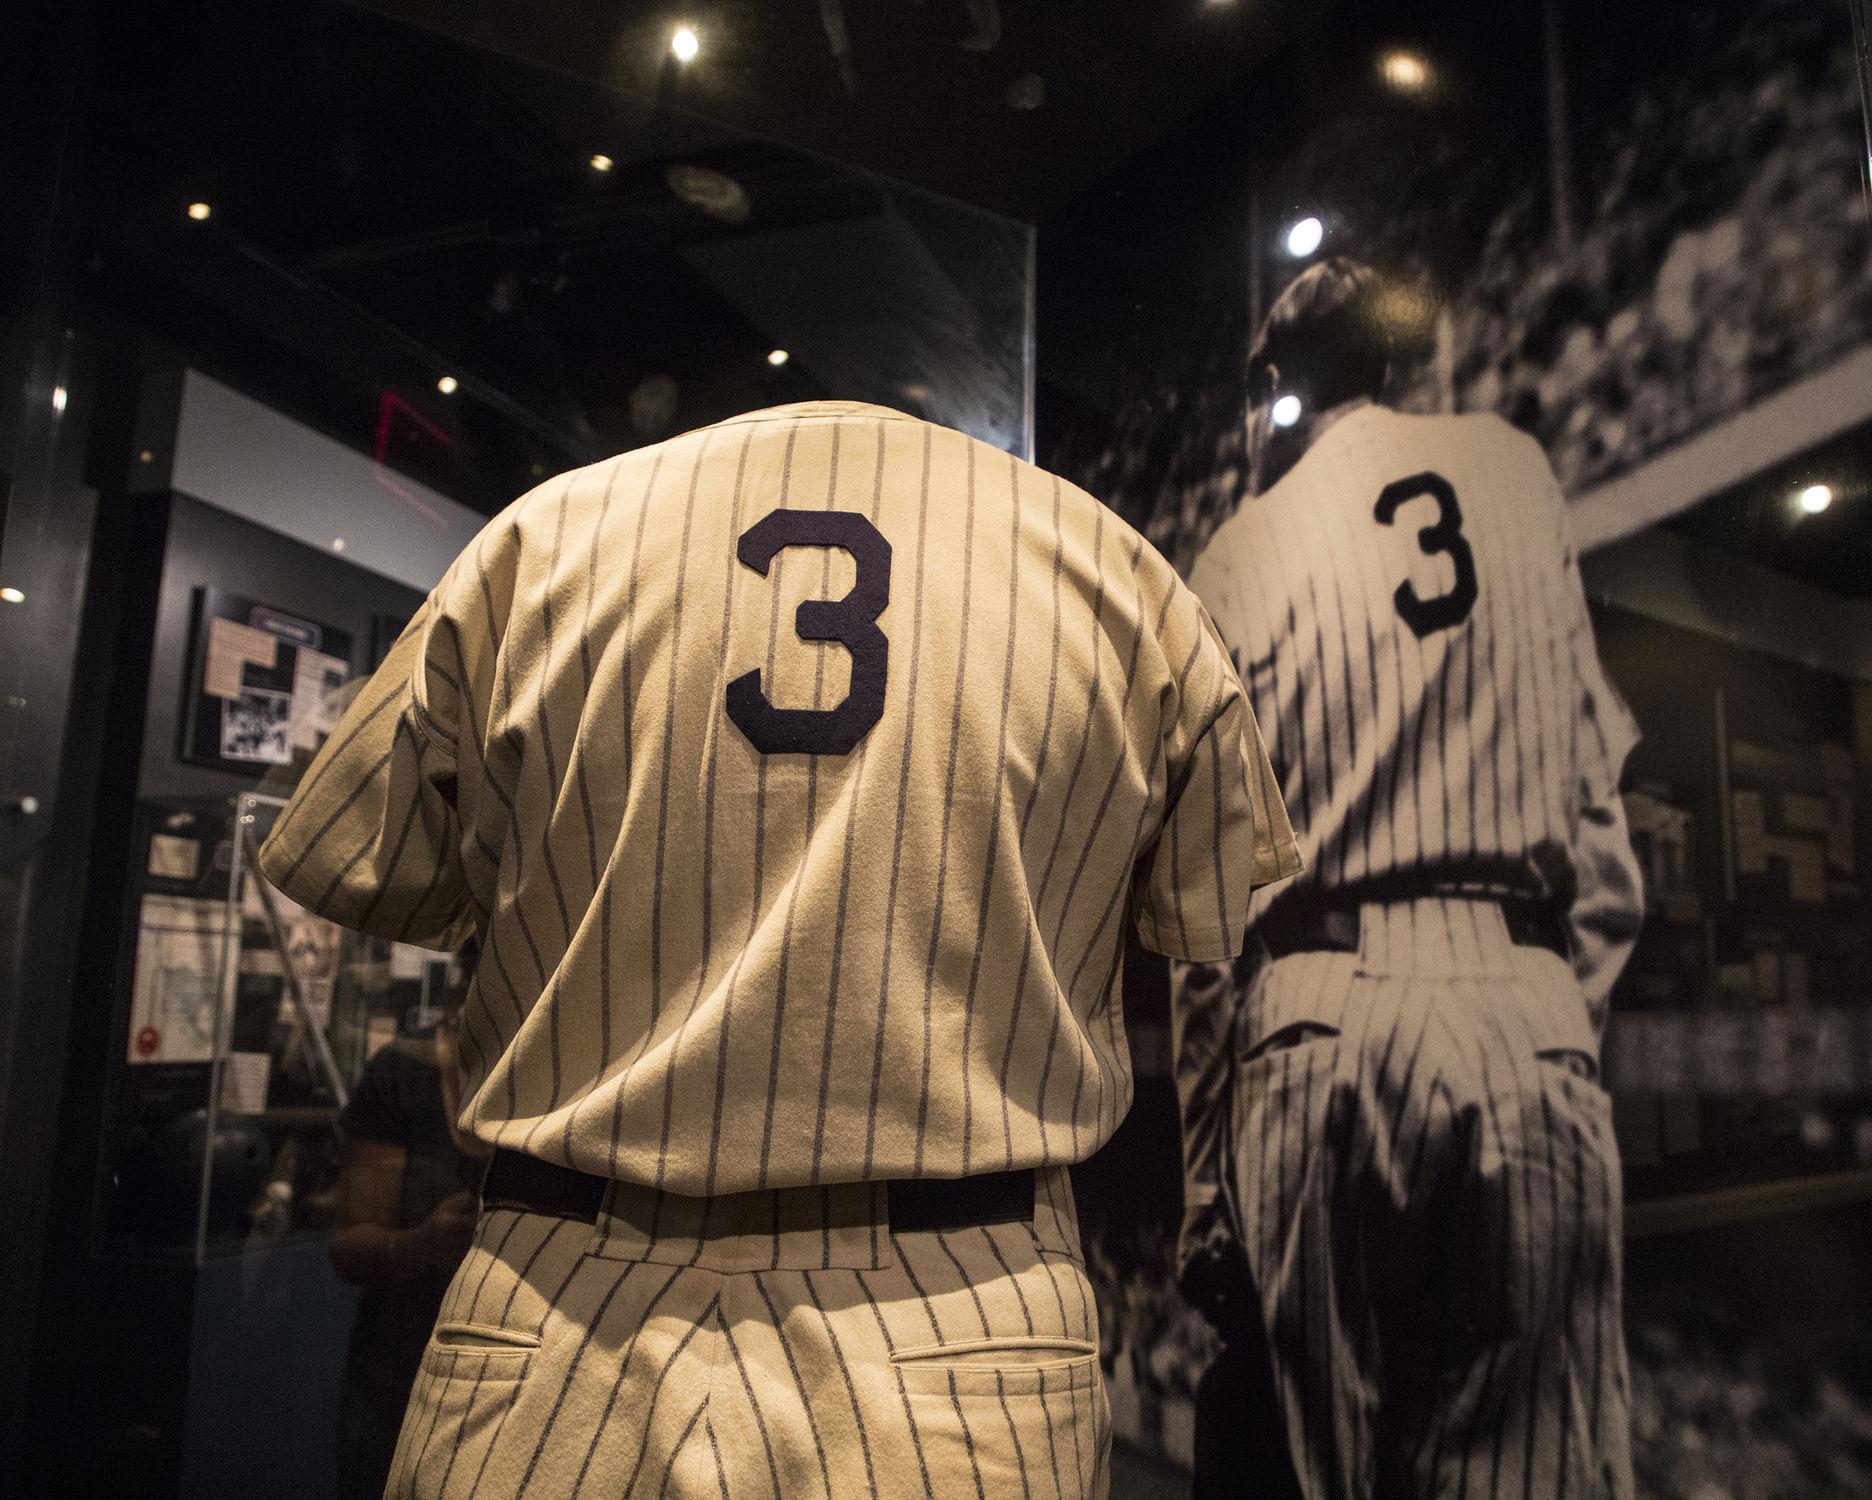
<point x="263" y="684"/>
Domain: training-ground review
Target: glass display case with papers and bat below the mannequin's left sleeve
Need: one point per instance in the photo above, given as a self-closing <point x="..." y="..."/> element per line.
<point x="250" y="1025"/>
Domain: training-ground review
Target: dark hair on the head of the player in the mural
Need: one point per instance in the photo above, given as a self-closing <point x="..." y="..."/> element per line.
<point x="1324" y="340"/>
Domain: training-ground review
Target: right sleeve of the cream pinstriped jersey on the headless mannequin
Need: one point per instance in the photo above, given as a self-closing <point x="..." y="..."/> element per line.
<point x="1225" y="831"/>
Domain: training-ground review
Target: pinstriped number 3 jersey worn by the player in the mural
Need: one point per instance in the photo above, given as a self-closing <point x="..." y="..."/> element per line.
<point x="1407" y="615"/>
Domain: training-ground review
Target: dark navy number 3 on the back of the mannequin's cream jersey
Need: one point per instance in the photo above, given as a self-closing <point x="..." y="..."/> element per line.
<point x="851" y="621"/>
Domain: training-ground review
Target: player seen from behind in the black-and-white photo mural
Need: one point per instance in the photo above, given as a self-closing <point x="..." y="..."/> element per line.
<point x="1392" y="1106"/>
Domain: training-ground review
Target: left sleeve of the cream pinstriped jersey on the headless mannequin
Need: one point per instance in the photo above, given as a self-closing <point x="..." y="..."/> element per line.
<point x="372" y="838"/>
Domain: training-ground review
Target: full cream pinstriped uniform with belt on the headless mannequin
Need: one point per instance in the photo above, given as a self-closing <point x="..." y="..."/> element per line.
<point x="800" y="778"/>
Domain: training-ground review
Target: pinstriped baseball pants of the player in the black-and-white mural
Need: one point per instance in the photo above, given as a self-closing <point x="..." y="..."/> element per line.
<point x="1429" y="1196"/>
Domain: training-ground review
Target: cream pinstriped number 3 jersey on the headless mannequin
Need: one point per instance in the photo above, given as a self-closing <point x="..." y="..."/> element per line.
<point x="800" y="776"/>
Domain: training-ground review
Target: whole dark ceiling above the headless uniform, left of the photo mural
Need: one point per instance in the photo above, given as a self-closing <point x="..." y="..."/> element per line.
<point x="407" y="188"/>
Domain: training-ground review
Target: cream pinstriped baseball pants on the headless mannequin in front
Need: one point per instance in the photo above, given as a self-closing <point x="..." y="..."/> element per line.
<point x="763" y="1346"/>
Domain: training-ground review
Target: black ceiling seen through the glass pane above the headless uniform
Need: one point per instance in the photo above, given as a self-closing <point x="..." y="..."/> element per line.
<point x="390" y="203"/>
